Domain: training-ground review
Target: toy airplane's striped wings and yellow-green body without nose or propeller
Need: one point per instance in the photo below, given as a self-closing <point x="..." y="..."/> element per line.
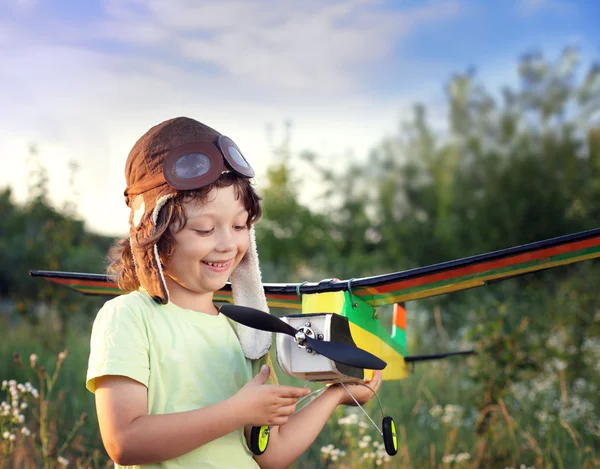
<point x="358" y="299"/>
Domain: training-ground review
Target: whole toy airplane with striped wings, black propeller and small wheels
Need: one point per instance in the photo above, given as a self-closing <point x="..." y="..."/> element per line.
<point x="345" y="311"/>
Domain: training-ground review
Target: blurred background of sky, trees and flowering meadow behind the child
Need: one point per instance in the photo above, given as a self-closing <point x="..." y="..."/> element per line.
<point x="386" y="135"/>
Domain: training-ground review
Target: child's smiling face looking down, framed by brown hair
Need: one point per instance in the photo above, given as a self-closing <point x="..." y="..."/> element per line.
<point x="211" y="245"/>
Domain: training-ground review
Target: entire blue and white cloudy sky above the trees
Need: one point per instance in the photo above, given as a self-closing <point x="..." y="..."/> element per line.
<point x="85" y="79"/>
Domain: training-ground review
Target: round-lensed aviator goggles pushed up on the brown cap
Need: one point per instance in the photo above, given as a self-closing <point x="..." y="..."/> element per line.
<point x="196" y="164"/>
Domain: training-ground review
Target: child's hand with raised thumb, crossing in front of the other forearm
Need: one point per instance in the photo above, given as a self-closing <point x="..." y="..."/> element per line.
<point x="266" y="404"/>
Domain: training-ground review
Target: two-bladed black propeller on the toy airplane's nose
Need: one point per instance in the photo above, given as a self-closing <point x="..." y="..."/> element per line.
<point x="339" y="352"/>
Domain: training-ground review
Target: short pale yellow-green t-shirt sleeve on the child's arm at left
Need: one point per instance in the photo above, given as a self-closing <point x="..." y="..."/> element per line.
<point x="119" y="345"/>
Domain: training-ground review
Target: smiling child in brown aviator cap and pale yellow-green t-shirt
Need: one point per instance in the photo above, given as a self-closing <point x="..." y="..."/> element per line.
<point x="175" y="384"/>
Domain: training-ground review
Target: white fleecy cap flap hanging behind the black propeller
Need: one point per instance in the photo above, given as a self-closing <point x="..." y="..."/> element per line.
<point x="248" y="290"/>
